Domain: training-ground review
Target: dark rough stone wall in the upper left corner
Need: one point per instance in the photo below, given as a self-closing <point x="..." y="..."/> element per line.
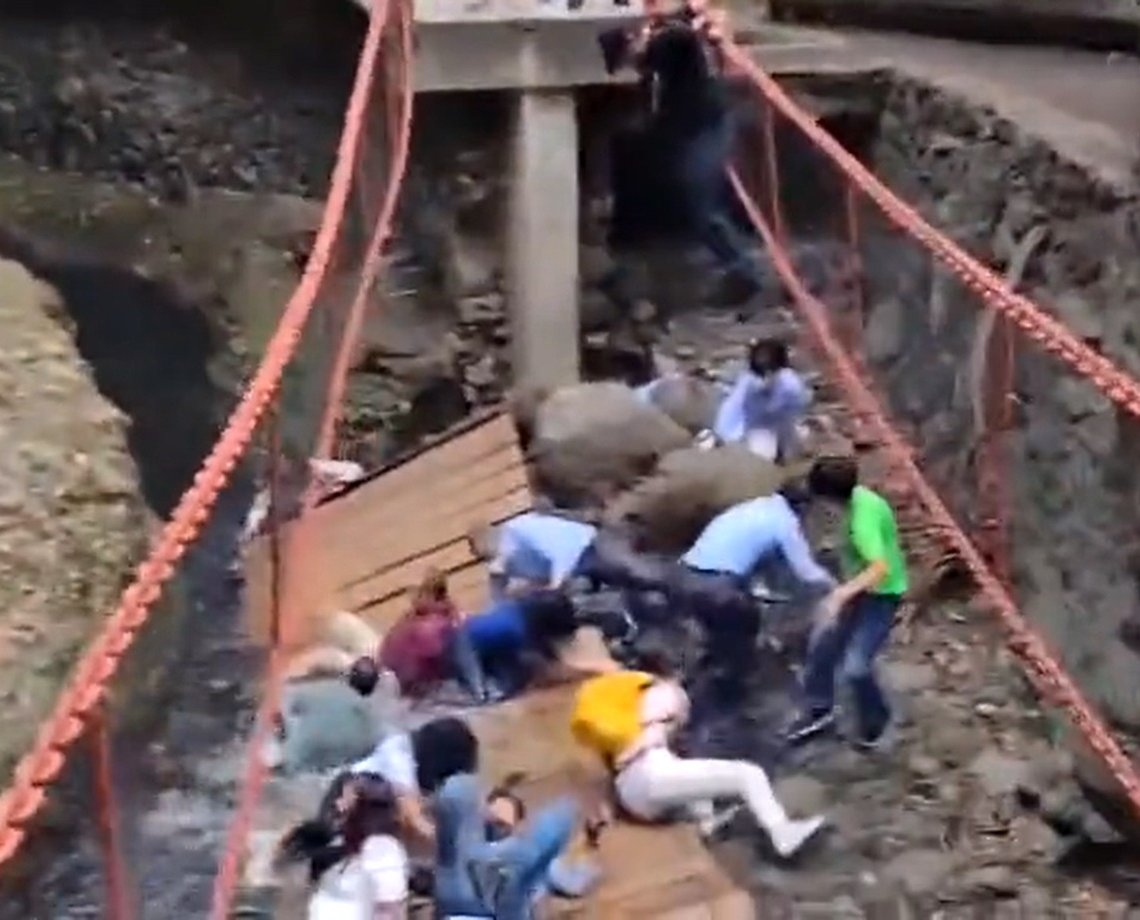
<point x="150" y="103"/>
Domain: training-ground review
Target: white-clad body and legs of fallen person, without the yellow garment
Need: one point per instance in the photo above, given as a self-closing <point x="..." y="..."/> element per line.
<point x="652" y="781"/>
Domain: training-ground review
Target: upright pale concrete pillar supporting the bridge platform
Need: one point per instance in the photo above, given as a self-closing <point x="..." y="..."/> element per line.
<point x="542" y="259"/>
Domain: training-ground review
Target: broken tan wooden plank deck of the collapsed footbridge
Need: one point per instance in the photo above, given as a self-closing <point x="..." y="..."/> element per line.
<point x="374" y="543"/>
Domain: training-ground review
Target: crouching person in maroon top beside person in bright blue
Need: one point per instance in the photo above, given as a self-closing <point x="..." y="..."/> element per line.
<point x="420" y="648"/>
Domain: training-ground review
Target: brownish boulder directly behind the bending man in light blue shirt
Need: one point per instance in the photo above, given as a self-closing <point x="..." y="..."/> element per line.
<point x="669" y="510"/>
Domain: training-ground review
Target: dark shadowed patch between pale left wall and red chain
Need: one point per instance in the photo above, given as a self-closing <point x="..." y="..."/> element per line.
<point x="149" y="353"/>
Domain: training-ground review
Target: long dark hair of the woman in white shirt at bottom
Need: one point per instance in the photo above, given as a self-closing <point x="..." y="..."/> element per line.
<point x="324" y="843"/>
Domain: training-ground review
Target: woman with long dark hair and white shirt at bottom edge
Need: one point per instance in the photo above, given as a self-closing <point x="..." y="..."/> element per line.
<point x="359" y="868"/>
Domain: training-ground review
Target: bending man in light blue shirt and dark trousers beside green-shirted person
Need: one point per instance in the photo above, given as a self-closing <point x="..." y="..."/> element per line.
<point x="714" y="584"/>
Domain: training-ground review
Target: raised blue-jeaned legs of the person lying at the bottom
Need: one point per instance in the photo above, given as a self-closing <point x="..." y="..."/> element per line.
<point x="481" y="878"/>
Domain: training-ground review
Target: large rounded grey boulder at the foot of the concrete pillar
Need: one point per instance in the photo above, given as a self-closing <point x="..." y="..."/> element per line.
<point x="591" y="441"/>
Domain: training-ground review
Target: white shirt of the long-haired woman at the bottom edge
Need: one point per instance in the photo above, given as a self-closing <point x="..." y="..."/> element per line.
<point x="353" y="889"/>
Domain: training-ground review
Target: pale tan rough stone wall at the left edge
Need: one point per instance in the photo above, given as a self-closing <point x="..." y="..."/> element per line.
<point x="71" y="519"/>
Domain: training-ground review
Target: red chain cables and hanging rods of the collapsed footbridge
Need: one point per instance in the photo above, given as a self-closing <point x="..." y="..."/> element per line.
<point x="370" y="172"/>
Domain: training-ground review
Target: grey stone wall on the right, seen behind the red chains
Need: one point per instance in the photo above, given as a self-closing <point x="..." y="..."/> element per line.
<point x="1076" y="461"/>
